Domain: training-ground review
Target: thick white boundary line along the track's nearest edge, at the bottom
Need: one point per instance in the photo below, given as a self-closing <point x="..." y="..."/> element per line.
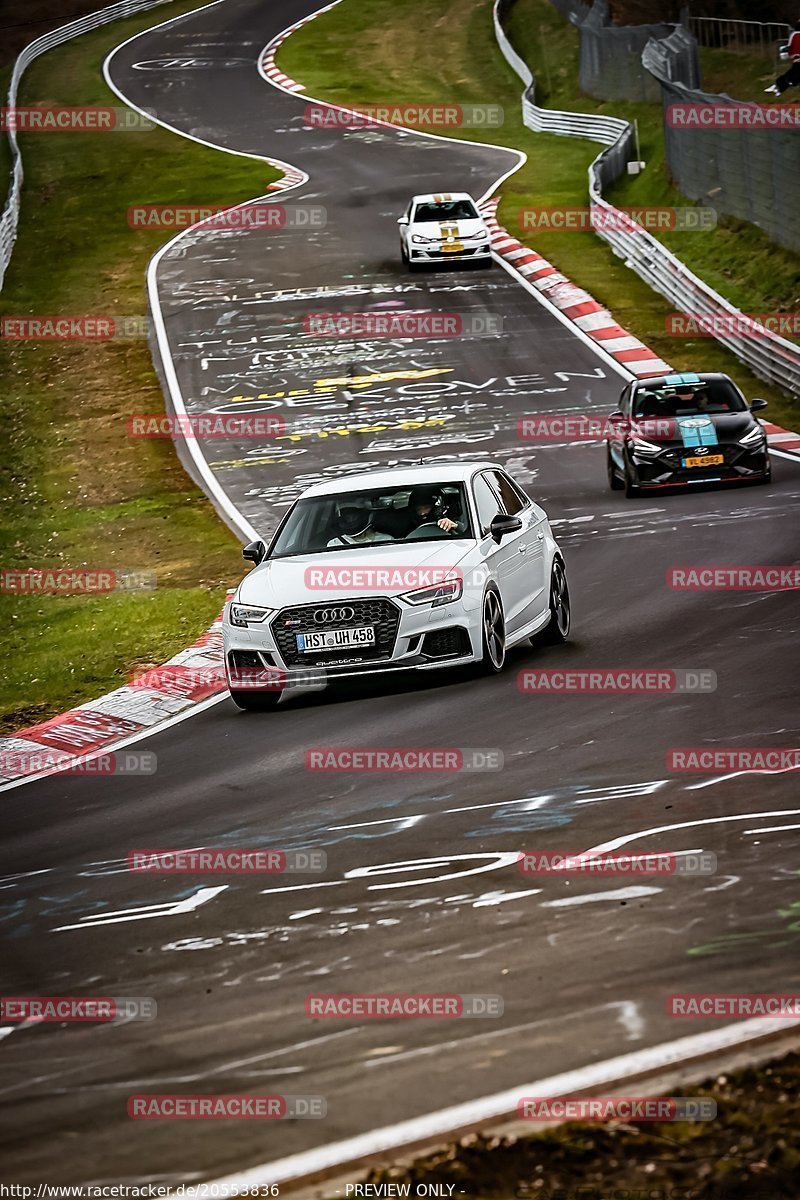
<point x="460" y="1119"/>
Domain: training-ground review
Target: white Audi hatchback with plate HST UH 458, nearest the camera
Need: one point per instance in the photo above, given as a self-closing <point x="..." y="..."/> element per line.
<point x="417" y="568"/>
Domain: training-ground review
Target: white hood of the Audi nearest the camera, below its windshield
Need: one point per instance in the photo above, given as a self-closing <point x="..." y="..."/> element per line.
<point x="306" y="579"/>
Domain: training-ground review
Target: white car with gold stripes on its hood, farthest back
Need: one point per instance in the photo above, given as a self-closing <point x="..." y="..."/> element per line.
<point x="442" y="229"/>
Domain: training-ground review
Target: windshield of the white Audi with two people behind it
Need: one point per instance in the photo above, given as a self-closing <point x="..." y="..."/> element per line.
<point x="348" y="520"/>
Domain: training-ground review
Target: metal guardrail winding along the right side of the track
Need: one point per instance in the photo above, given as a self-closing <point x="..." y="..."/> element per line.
<point x="768" y="356"/>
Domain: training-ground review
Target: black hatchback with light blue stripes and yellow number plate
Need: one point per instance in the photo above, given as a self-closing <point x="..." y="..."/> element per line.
<point x="679" y="430"/>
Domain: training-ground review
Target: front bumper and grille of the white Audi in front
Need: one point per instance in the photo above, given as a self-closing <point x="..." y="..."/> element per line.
<point x="264" y="657"/>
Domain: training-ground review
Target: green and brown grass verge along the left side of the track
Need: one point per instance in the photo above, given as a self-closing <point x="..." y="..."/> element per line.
<point x="79" y="493"/>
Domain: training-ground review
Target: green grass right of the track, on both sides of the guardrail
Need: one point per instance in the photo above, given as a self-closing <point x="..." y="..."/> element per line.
<point x="449" y="53"/>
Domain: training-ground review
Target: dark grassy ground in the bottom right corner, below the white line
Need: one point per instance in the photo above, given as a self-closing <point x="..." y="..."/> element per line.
<point x="749" y="1153"/>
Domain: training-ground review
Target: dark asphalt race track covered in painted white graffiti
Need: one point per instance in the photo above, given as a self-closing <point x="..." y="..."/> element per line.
<point x="584" y="965"/>
